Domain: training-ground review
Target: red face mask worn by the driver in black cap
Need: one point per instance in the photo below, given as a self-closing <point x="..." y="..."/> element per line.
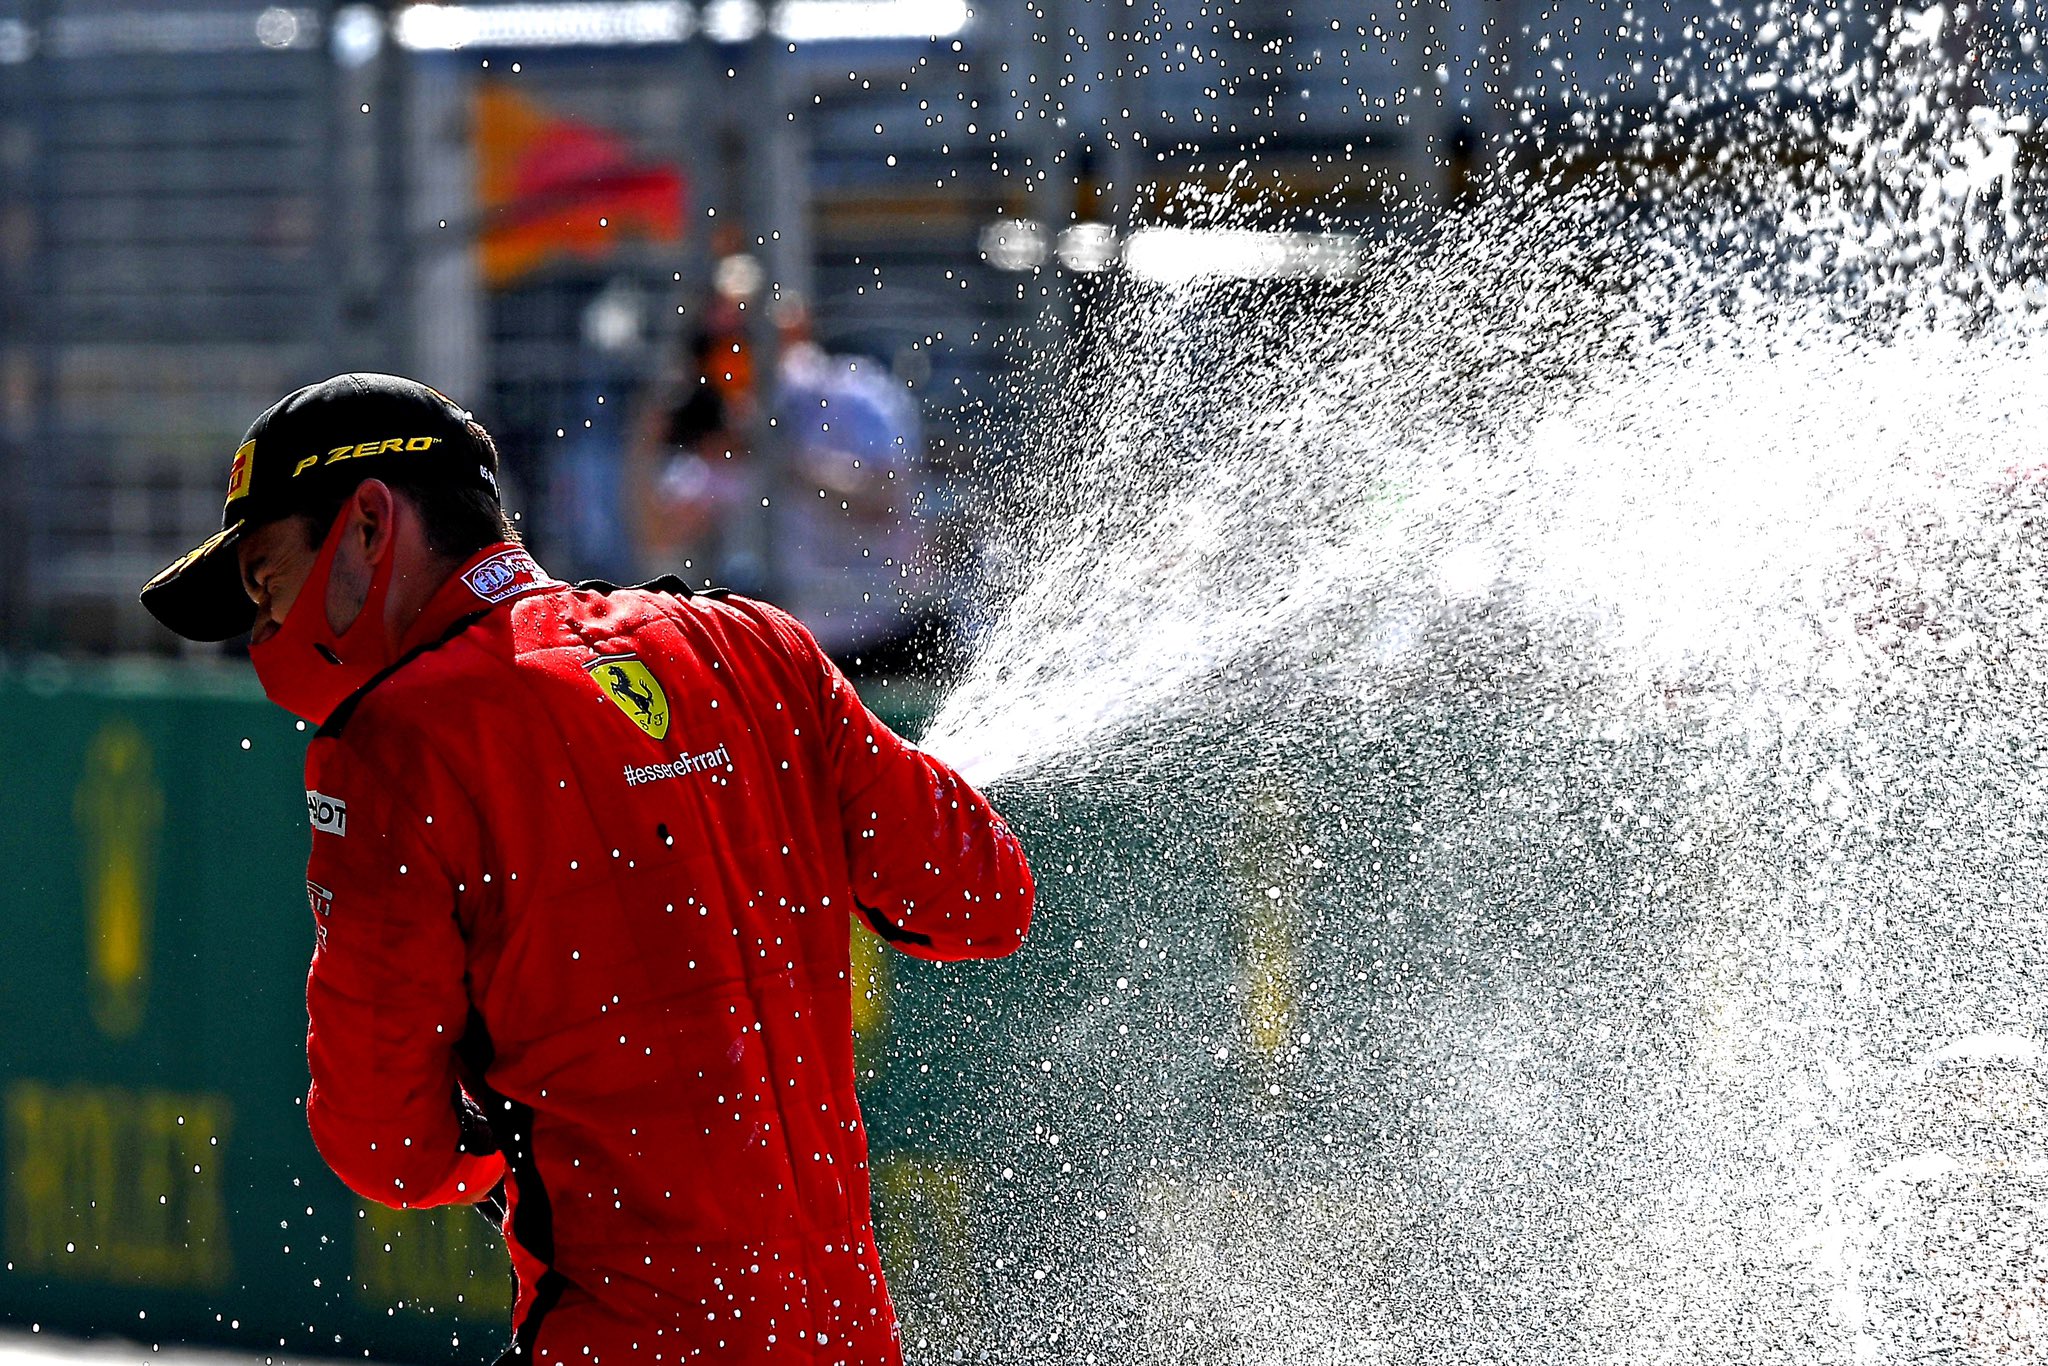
<point x="306" y="667"/>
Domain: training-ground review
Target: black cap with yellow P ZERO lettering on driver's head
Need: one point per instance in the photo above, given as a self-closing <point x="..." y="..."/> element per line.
<point x="306" y="450"/>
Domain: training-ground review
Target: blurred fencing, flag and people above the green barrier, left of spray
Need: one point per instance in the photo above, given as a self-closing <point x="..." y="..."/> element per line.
<point x="685" y="257"/>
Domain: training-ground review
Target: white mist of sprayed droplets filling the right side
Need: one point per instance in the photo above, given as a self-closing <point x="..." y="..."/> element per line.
<point x="1545" y="765"/>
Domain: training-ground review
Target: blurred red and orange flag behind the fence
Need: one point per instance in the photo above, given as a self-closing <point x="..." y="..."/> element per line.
<point x="560" y="187"/>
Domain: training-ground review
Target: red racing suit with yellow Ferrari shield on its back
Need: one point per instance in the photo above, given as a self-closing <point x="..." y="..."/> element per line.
<point x="583" y="878"/>
